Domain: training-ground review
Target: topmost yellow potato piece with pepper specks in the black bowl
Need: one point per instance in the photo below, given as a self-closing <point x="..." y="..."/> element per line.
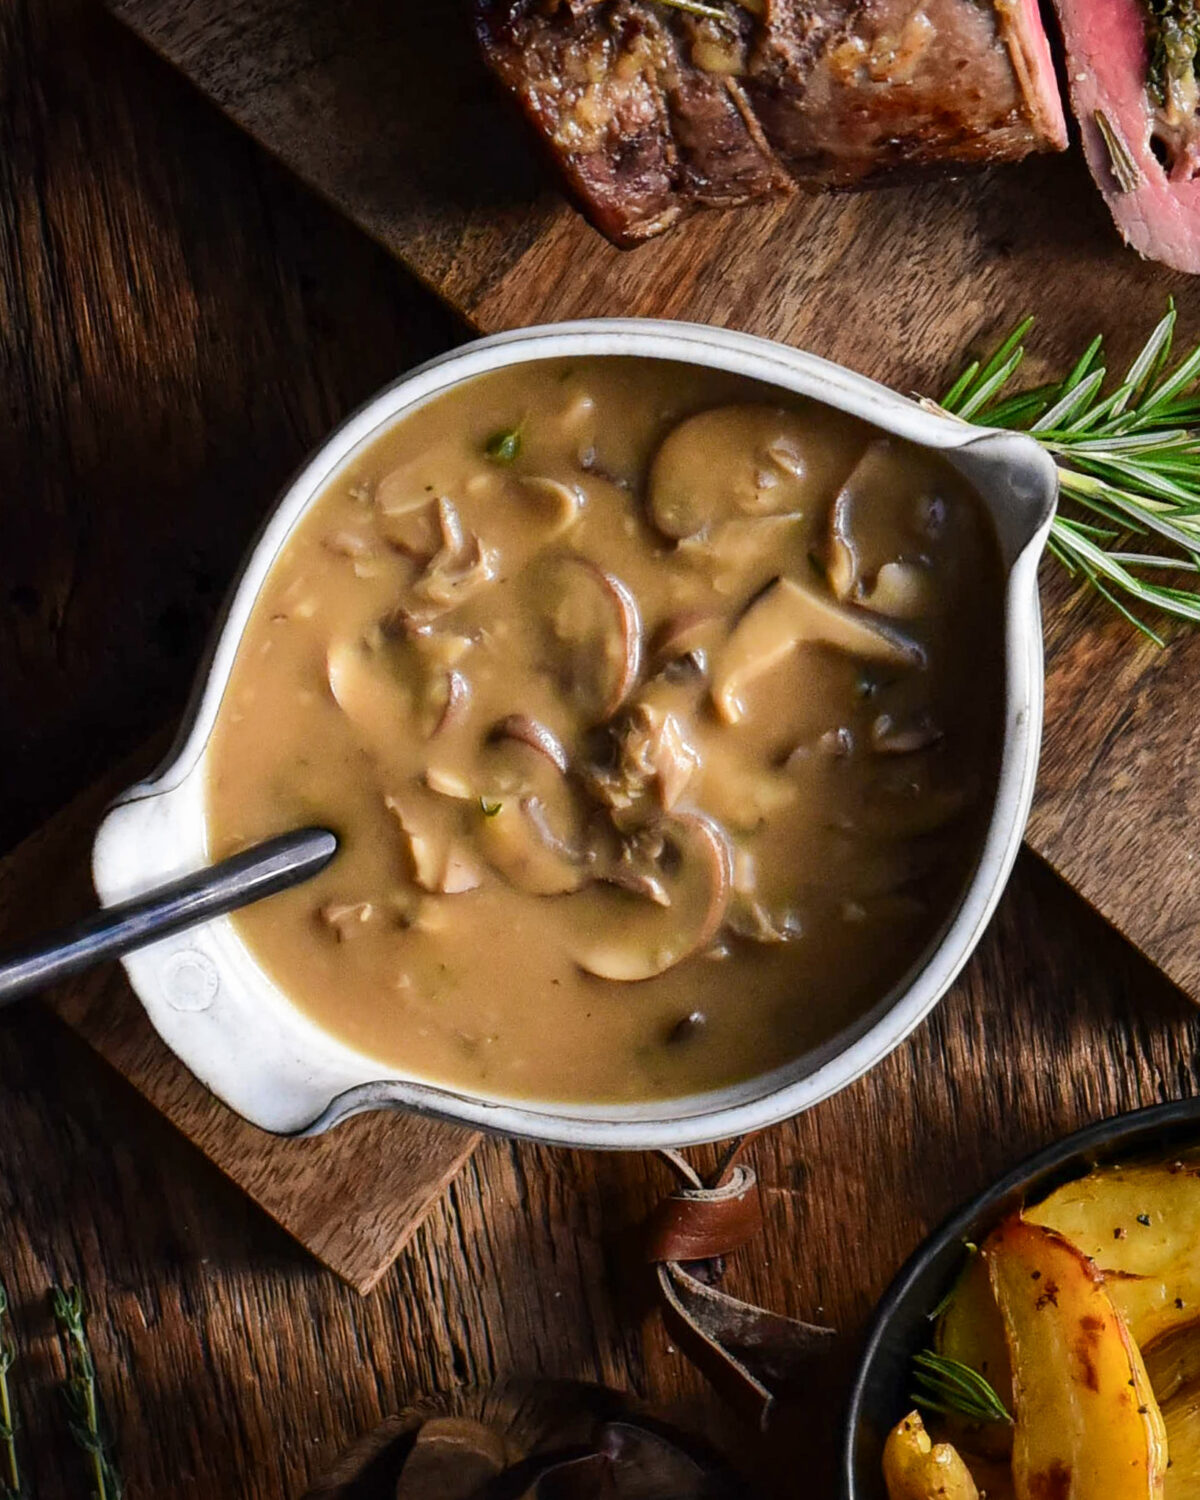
<point x="1141" y="1223"/>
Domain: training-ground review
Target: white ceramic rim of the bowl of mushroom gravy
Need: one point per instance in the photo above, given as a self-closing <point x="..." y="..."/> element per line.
<point x="698" y="1118"/>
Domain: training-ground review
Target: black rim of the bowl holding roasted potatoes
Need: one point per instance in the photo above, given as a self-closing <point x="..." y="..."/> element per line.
<point x="1109" y="1139"/>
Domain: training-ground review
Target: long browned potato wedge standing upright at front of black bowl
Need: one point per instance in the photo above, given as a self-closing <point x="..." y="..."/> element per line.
<point x="1087" y="1423"/>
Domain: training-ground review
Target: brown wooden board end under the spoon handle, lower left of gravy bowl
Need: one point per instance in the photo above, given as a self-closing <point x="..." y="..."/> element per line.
<point x="353" y="1198"/>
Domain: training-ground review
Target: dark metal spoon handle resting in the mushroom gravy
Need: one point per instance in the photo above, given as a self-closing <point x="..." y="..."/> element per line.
<point x="248" y="877"/>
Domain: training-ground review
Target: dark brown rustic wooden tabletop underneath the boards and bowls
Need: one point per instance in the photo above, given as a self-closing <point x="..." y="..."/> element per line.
<point x="178" y="325"/>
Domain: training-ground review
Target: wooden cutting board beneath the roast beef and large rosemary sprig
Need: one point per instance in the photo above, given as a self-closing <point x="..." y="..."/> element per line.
<point x="389" y="113"/>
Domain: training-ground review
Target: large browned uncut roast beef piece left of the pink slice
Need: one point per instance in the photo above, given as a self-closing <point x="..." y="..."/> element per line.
<point x="652" y="110"/>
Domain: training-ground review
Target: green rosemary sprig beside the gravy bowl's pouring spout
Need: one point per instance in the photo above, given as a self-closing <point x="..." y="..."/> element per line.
<point x="1129" y="464"/>
